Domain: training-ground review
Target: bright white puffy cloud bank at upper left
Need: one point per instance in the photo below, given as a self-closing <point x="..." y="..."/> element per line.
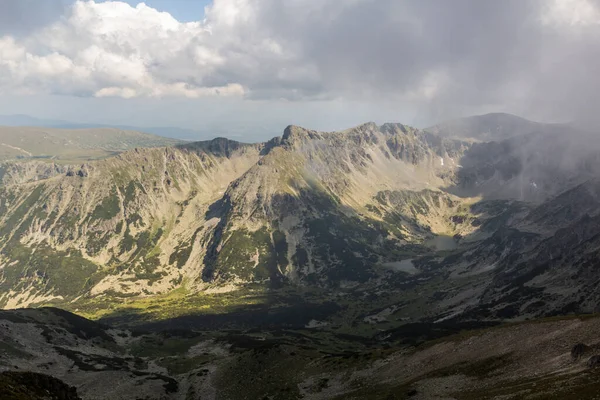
<point x="113" y="49"/>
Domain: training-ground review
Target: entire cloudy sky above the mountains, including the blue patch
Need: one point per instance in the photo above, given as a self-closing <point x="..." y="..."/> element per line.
<point x="252" y="67"/>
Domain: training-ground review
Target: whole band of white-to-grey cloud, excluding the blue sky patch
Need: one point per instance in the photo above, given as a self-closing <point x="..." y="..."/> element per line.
<point x="446" y="58"/>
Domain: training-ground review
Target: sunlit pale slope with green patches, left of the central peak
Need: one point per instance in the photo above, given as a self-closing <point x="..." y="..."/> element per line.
<point x="114" y="224"/>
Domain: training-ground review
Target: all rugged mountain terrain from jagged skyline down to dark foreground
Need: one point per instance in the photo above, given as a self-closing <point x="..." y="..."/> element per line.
<point x="389" y="262"/>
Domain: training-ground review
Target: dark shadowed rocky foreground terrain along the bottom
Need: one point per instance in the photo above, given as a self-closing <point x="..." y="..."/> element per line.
<point x="534" y="360"/>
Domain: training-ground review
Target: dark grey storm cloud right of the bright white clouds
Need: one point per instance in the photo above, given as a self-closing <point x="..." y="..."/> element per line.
<point x="473" y="53"/>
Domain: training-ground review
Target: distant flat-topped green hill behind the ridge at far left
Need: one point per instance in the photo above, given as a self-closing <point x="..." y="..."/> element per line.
<point x="72" y="144"/>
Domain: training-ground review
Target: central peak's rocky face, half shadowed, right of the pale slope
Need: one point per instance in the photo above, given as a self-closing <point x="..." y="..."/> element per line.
<point x="306" y="210"/>
